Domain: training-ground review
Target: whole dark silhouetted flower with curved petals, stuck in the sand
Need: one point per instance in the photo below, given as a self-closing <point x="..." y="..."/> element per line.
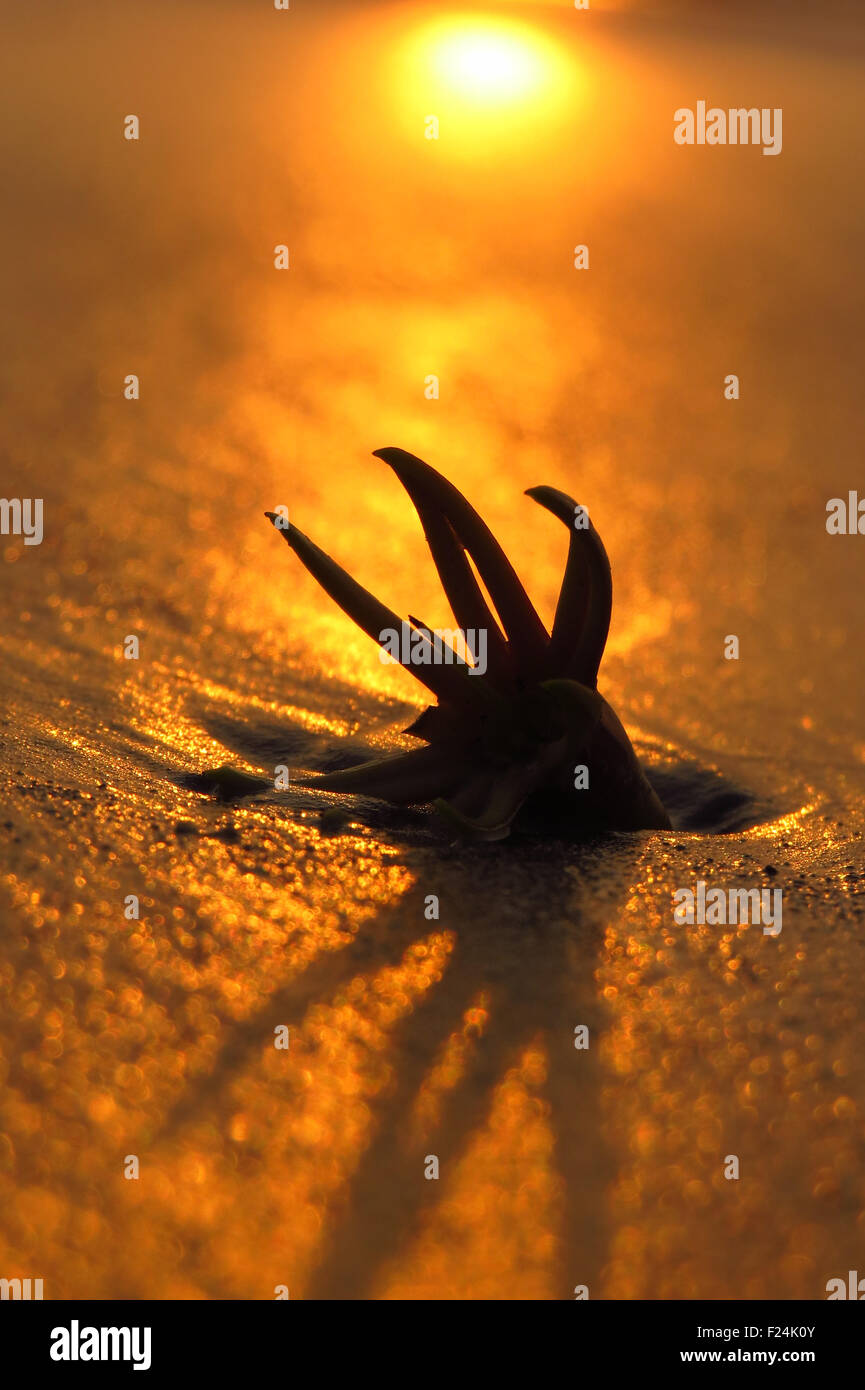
<point x="497" y="740"/>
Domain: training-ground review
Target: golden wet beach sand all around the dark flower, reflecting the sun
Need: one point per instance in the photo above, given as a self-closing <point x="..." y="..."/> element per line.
<point x="412" y="1036"/>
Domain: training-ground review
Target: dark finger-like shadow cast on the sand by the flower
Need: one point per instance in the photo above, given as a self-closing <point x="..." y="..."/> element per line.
<point x="536" y="971"/>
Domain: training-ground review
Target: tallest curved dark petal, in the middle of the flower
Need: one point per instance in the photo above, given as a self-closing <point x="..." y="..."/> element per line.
<point x="528" y="636"/>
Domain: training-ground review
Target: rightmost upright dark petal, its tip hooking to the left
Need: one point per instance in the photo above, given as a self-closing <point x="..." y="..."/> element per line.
<point x="586" y="598"/>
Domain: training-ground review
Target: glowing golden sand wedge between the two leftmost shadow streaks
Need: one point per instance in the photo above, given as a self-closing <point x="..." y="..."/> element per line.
<point x="308" y="1114"/>
